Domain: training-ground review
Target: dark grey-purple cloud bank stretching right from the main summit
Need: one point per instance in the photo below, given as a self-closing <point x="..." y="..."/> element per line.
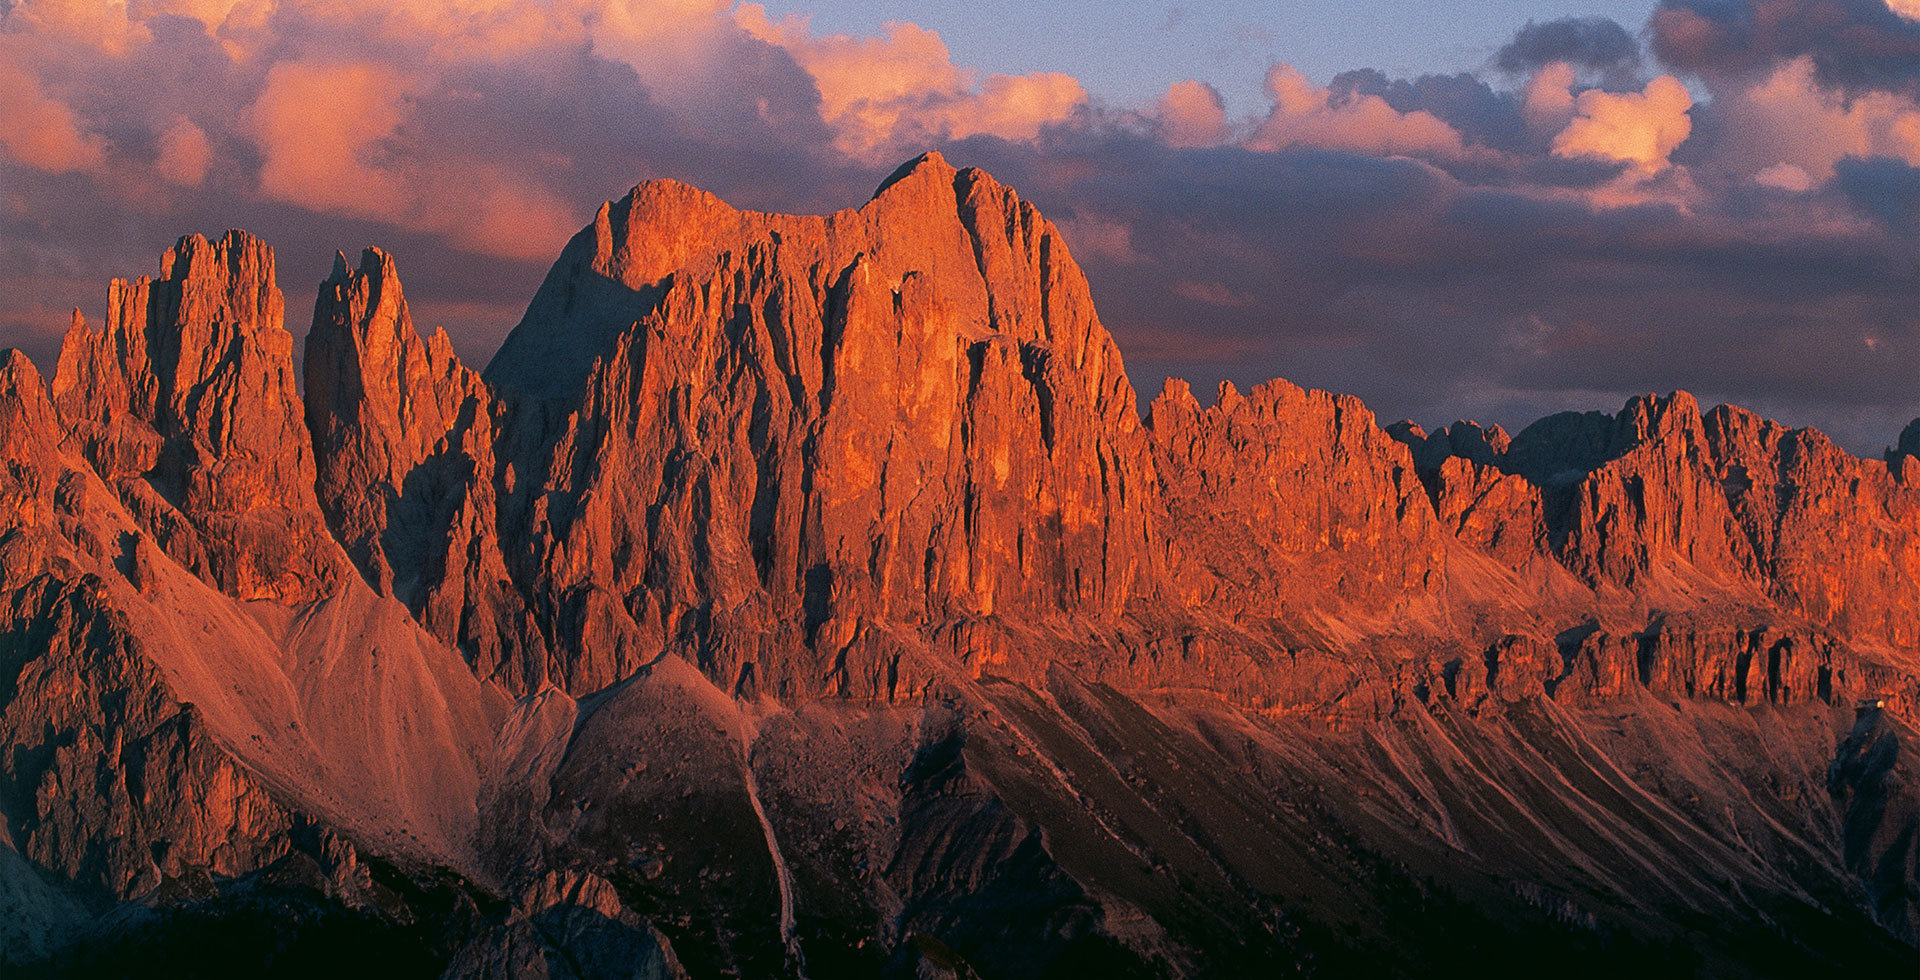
<point x="1481" y="295"/>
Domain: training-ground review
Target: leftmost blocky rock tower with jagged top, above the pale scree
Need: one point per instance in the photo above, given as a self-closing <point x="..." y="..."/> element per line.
<point x="187" y="406"/>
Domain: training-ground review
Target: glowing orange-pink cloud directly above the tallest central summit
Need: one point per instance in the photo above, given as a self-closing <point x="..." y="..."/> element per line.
<point x="886" y="95"/>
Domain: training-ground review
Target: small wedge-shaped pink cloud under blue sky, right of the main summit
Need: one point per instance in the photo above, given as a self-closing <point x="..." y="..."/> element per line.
<point x="1312" y="118"/>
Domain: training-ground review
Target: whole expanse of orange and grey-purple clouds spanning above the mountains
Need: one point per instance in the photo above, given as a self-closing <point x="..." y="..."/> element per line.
<point x="1548" y="233"/>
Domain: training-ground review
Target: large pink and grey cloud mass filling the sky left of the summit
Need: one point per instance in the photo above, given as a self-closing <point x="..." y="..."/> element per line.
<point x="475" y="137"/>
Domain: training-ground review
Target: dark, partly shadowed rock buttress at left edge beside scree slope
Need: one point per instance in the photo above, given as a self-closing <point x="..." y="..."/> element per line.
<point x="108" y="781"/>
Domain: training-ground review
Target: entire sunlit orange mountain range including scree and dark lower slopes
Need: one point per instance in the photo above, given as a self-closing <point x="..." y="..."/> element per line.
<point x="809" y="597"/>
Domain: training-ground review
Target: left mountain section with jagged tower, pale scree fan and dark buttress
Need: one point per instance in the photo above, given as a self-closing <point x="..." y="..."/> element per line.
<point x="199" y="689"/>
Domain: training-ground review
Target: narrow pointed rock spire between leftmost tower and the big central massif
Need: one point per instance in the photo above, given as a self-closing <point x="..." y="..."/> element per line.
<point x="404" y="443"/>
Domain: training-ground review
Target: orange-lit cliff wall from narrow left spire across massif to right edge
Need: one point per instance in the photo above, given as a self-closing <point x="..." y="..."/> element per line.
<point x="844" y="454"/>
